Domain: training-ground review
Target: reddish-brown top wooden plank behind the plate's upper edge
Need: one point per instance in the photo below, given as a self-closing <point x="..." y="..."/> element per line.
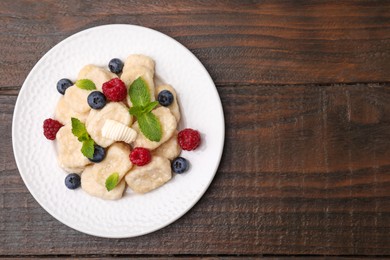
<point x="240" y="42"/>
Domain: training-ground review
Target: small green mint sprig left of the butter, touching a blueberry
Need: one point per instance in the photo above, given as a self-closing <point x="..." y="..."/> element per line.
<point x="80" y="131"/>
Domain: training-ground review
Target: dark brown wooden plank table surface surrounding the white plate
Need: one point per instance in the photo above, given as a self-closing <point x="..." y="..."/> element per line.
<point x="305" y="87"/>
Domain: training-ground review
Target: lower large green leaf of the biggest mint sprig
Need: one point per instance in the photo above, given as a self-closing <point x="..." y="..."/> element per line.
<point x="150" y="126"/>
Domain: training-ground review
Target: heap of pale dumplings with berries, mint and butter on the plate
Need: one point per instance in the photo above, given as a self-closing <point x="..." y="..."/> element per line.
<point x="116" y="128"/>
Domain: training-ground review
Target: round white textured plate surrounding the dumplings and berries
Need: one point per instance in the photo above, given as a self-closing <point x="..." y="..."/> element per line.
<point x="133" y="215"/>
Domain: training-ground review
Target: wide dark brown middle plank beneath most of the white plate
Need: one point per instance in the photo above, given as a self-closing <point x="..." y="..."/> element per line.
<point x="305" y="170"/>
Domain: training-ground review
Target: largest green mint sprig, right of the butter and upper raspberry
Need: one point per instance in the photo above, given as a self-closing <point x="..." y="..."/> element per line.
<point x="142" y="109"/>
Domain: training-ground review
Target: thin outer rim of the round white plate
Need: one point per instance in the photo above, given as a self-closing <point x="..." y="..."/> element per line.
<point x="196" y="200"/>
